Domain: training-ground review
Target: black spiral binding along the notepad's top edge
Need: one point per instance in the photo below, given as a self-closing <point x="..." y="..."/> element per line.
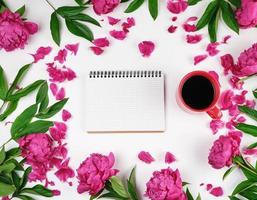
<point x="125" y="74"/>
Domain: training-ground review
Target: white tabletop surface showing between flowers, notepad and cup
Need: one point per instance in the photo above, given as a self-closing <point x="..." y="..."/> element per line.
<point x="187" y="135"/>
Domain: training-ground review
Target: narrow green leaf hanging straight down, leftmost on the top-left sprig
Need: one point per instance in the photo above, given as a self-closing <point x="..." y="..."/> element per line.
<point x="55" y="28"/>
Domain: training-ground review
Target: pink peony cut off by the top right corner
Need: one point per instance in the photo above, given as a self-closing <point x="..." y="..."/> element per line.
<point x="247" y="15"/>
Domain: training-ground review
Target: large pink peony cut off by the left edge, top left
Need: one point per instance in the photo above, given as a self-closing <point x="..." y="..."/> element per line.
<point x="14" y="31"/>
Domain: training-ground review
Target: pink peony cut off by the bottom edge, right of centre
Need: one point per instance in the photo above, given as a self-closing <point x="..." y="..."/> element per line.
<point x="165" y="185"/>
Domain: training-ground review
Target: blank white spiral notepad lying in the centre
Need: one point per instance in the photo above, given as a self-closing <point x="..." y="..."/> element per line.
<point x="125" y="101"/>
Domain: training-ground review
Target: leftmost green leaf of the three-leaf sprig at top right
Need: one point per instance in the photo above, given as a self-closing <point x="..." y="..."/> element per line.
<point x="207" y="15"/>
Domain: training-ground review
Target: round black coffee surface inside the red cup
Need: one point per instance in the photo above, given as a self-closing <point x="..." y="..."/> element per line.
<point x="198" y="92"/>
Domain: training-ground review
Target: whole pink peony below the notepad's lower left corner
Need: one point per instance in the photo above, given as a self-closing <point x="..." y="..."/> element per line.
<point x="94" y="172"/>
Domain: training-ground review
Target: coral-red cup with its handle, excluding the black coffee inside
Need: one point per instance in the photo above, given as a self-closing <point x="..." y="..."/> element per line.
<point x="212" y="110"/>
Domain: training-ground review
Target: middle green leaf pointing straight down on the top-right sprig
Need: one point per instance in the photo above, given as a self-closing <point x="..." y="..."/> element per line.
<point x="213" y="25"/>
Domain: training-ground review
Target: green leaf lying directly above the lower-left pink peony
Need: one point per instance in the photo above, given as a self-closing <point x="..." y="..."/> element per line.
<point x="39" y="126"/>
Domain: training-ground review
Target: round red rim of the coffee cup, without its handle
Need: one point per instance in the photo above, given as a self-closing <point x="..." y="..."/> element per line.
<point x="214" y="83"/>
